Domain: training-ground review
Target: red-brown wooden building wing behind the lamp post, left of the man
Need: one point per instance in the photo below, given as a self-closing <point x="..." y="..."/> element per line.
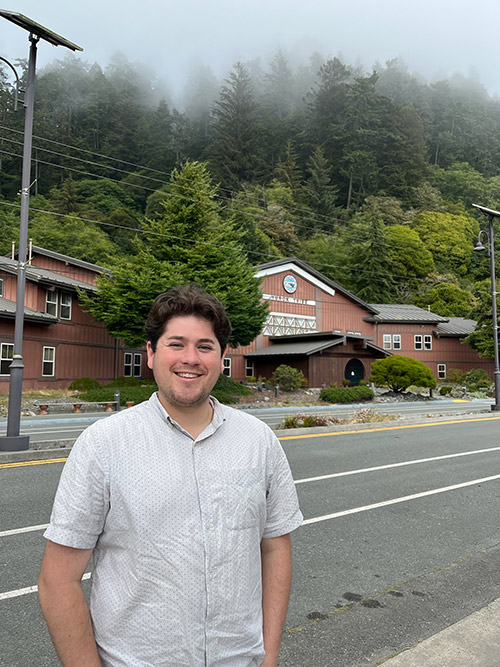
<point x="61" y="342"/>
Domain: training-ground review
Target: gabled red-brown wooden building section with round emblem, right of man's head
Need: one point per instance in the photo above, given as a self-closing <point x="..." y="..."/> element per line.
<point x="316" y="325"/>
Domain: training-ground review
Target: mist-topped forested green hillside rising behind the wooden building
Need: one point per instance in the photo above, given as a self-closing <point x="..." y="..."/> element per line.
<point x="368" y="176"/>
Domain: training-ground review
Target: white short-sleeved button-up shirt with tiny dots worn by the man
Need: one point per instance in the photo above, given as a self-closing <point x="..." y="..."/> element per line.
<point x="176" y="525"/>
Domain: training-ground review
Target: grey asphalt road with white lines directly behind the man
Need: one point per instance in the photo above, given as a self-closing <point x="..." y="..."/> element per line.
<point x="400" y="539"/>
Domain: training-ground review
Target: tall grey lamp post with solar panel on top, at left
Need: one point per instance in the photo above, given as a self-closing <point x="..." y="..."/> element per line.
<point x="13" y="441"/>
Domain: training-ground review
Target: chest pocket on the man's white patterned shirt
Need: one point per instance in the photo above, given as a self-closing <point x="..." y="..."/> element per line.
<point x="240" y="498"/>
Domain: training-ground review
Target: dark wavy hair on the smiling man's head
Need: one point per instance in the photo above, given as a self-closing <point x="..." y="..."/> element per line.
<point x="188" y="299"/>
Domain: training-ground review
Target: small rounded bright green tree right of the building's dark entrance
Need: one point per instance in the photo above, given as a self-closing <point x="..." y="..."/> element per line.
<point x="398" y="373"/>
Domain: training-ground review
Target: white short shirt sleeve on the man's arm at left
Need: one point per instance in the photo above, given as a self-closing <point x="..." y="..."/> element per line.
<point x="82" y="499"/>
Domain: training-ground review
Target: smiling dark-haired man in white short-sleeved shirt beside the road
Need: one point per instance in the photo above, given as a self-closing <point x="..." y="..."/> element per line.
<point x="186" y="506"/>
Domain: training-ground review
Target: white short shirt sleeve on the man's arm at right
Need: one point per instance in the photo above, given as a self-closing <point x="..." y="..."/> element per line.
<point x="283" y="513"/>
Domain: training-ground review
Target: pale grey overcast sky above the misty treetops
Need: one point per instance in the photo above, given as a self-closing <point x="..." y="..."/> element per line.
<point x="434" y="37"/>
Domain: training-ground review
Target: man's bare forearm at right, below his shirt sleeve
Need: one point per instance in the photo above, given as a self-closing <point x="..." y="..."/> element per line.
<point x="276" y="580"/>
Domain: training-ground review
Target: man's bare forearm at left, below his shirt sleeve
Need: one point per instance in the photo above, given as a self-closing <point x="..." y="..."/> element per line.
<point x="68" y="618"/>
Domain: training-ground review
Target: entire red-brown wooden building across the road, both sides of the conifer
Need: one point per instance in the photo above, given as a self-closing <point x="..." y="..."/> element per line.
<point x="313" y="324"/>
